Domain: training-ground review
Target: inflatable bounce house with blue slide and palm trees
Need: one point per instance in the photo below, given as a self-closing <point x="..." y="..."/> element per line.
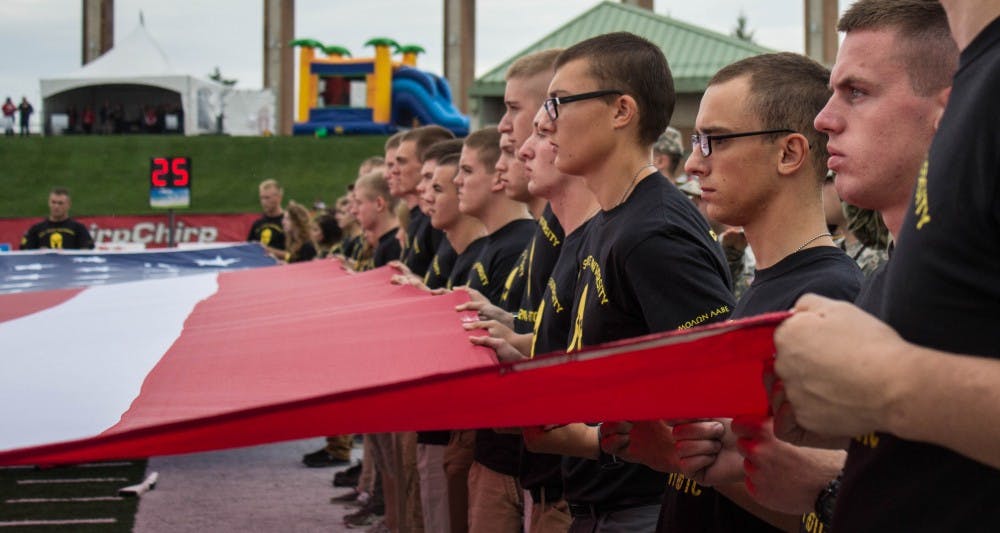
<point x="341" y="95"/>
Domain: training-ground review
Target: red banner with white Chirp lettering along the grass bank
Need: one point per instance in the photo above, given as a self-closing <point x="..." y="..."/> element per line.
<point x="152" y="231"/>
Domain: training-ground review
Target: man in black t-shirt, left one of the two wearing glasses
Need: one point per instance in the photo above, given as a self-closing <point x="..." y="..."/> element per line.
<point x="649" y="263"/>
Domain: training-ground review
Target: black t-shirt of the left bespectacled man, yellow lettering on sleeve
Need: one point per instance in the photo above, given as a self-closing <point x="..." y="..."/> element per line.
<point x="646" y="266"/>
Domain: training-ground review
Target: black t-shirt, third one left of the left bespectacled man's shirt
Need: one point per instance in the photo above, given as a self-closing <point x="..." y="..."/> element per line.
<point x="496" y="451"/>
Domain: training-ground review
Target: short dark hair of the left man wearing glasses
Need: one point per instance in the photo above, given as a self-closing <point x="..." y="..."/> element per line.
<point x="635" y="66"/>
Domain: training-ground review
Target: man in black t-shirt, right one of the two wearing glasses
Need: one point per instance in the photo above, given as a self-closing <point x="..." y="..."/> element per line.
<point x="761" y="166"/>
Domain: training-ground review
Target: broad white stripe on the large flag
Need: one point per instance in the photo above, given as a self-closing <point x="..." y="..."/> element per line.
<point x="71" y="371"/>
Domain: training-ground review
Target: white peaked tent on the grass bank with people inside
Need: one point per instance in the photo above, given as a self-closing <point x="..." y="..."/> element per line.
<point x="136" y="75"/>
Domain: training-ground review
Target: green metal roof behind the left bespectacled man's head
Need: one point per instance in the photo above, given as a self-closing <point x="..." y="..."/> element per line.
<point x="695" y="54"/>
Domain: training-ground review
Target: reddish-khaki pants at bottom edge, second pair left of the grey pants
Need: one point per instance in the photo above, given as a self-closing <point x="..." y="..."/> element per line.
<point x="496" y="501"/>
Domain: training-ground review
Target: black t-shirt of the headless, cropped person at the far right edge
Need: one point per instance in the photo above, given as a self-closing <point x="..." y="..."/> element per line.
<point x="942" y="291"/>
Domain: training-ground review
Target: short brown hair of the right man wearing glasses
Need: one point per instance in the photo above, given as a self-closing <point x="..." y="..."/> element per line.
<point x="787" y="90"/>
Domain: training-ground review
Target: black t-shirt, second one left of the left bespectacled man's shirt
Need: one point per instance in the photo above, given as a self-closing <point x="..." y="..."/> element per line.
<point x="533" y="273"/>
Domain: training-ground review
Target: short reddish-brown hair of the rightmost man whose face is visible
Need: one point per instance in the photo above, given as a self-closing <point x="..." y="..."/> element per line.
<point x="927" y="49"/>
